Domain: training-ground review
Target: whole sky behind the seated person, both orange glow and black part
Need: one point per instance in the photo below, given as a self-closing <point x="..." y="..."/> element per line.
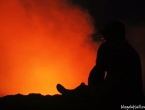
<point x="45" y="42"/>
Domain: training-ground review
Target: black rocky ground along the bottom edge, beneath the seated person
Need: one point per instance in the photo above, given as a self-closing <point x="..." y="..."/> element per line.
<point x="55" y="102"/>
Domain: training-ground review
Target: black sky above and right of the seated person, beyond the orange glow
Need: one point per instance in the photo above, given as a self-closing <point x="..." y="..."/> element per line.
<point x="130" y="12"/>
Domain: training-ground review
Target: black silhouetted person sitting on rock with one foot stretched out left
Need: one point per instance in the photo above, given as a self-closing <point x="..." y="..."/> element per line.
<point x="121" y="62"/>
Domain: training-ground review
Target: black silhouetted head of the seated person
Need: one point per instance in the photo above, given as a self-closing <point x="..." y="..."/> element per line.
<point x="113" y="30"/>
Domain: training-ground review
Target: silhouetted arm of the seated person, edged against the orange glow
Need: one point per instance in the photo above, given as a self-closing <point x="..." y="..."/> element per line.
<point x="97" y="73"/>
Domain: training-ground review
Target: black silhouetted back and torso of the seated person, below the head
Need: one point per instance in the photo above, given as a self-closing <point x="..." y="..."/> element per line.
<point x="123" y="69"/>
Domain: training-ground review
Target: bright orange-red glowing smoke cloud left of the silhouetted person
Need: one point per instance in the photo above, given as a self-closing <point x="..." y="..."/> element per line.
<point x="42" y="43"/>
